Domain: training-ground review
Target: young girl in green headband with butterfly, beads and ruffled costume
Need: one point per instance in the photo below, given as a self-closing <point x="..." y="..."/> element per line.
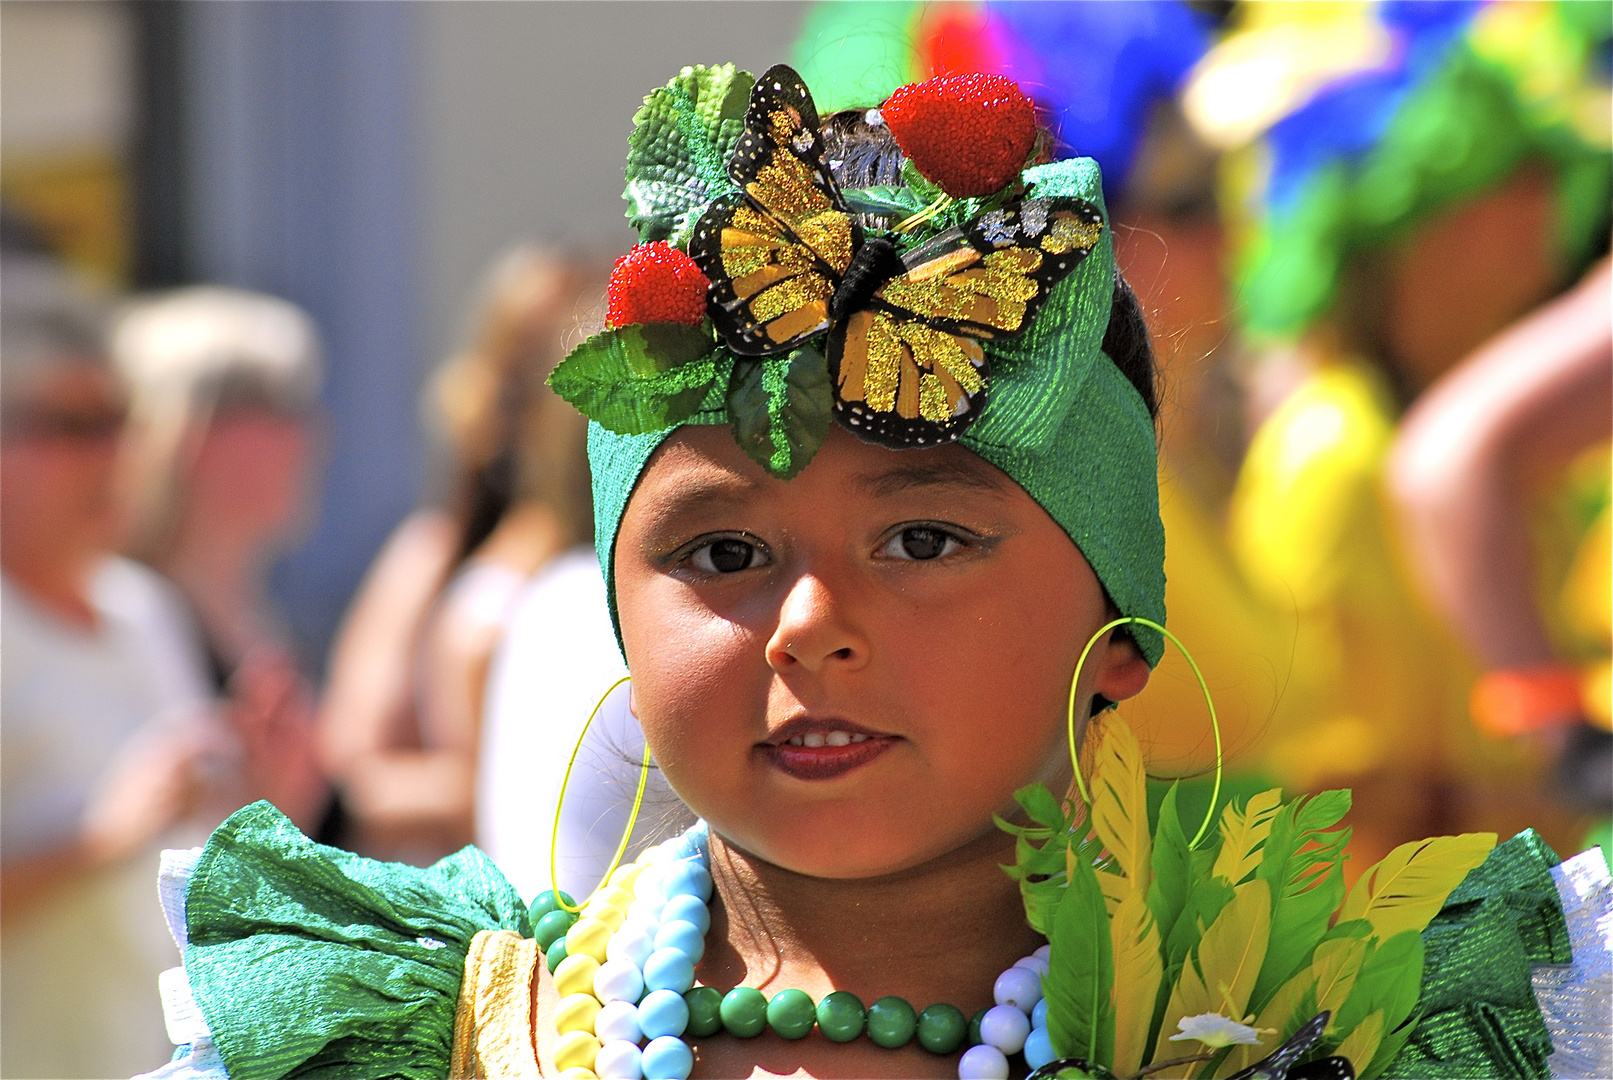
<point x="875" y="475"/>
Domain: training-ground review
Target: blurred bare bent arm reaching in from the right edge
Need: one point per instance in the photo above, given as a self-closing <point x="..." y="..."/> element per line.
<point x="1514" y="413"/>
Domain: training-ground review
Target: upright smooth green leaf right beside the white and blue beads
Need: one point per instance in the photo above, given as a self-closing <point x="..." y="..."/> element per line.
<point x="1082" y="973"/>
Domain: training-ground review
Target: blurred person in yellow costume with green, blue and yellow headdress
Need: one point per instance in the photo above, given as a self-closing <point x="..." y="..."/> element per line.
<point x="1403" y="181"/>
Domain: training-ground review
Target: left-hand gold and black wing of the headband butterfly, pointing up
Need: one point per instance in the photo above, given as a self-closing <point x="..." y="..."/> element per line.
<point x="777" y="251"/>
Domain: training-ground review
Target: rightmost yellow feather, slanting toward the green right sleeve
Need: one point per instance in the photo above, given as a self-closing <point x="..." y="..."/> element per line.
<point x="1409" y="887"/>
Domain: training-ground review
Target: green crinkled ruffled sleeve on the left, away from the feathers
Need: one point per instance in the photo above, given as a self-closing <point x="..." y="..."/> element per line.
<point x="311" y="962"/>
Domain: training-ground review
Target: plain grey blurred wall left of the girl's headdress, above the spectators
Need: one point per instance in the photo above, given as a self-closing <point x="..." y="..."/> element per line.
<point x="527" y="112"/>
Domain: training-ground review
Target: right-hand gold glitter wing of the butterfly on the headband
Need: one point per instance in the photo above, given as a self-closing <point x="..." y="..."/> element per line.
<point x="909" y="368"/>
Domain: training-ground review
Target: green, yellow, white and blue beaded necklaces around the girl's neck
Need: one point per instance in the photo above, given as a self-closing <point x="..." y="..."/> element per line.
<point x="627" y="974"/>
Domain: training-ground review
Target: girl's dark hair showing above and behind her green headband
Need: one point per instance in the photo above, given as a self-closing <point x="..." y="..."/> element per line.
<point x="864" y="156"/>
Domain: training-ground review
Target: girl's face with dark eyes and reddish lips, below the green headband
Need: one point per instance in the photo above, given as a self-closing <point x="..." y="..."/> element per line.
<point x="849" y="673"/>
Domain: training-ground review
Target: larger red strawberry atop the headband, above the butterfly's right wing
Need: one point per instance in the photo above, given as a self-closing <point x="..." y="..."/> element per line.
<point x="970" y="135"/>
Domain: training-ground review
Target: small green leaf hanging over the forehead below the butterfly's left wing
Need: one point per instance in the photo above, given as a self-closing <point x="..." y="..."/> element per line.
<point x="781" y="409"/>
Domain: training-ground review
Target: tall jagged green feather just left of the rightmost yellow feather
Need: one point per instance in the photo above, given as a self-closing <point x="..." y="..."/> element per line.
<point x="1306" y="870"/>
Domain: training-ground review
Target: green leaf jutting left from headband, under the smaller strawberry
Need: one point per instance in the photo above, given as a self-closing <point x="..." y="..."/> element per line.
<point x="640" y="378"/>
